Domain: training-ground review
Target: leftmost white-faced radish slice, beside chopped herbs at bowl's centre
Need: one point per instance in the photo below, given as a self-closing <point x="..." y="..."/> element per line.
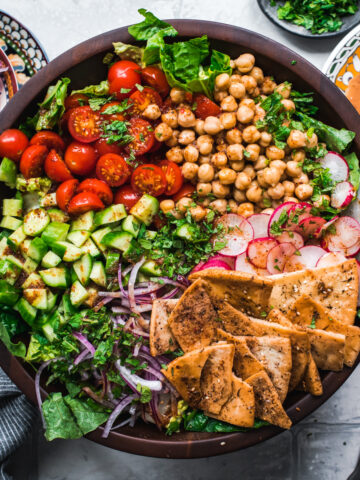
<point x="238" y="234"/>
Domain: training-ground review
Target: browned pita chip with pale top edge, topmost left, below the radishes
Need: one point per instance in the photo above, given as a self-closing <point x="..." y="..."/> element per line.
<point x="243" y="291"/>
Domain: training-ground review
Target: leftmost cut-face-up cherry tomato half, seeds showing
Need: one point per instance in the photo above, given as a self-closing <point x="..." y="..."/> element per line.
<point x="84" y="124"/>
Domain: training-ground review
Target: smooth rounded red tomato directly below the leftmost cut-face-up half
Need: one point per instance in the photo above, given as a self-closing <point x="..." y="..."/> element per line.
<point x="80" y="158"/>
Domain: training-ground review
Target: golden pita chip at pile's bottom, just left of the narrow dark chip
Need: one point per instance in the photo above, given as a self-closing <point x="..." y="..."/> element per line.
<point x="240" y="408"/>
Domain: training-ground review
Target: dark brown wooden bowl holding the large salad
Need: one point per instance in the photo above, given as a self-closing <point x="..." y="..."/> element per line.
<point x="83" y="65"/>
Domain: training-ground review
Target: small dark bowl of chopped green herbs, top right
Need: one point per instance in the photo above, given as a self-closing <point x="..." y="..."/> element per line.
<point x="313" y="18"/>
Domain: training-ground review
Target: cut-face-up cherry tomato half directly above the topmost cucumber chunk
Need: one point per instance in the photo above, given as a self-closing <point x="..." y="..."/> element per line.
<point x="149" y="178"/>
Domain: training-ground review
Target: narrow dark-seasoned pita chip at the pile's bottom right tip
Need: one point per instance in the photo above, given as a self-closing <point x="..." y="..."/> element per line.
<point x="267" y="403"/>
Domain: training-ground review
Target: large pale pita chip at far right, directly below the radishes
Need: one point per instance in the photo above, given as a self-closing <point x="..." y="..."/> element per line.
<point x="335" y="287"/>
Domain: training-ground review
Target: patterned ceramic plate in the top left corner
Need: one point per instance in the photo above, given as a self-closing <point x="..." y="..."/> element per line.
<point x="21" y="47"/>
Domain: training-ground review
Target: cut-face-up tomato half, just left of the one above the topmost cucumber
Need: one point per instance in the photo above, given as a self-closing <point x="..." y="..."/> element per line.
<point x="112" y="169"/>
